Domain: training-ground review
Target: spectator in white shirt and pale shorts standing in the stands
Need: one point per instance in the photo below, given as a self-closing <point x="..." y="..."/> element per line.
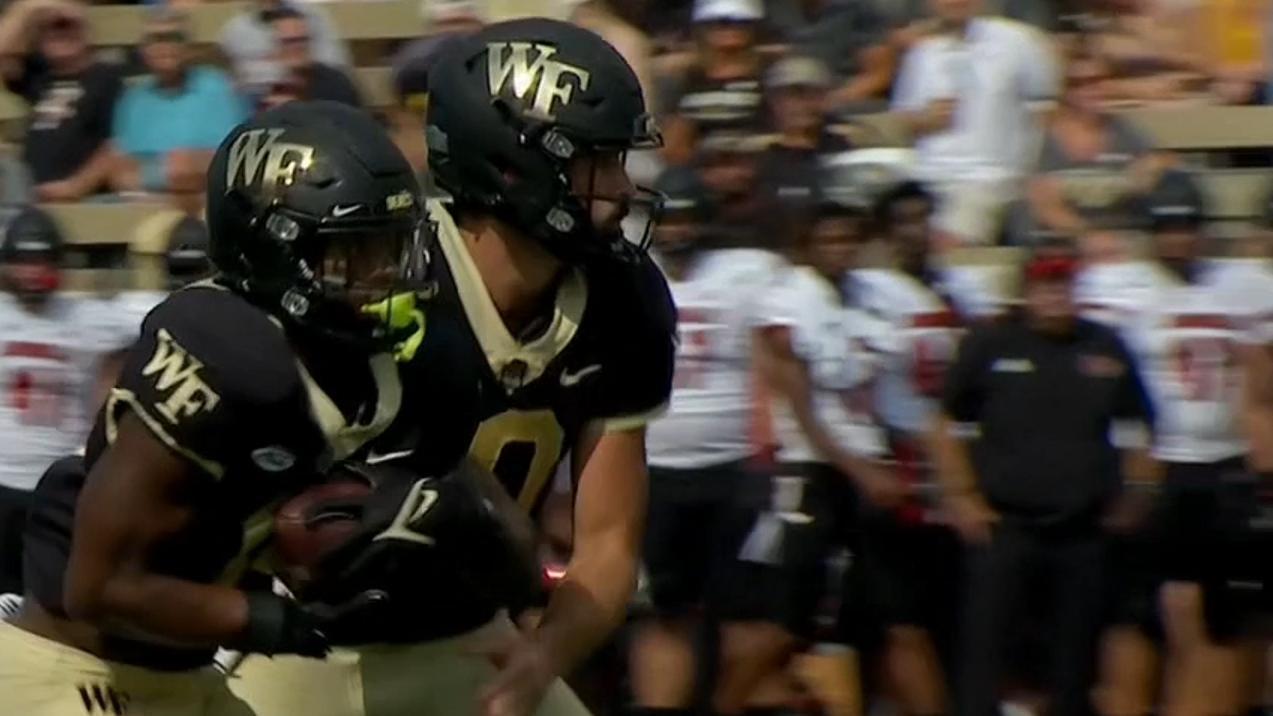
<point x="967" y="95"/>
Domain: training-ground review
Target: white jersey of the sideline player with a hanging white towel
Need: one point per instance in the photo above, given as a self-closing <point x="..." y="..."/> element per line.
<point x="834" y="342"/>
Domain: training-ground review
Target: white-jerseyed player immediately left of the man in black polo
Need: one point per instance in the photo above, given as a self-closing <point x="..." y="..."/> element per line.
<point x="910" y="559"/>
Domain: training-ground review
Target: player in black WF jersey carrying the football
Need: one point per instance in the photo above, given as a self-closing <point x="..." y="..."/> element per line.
<point x="239" y="392"/>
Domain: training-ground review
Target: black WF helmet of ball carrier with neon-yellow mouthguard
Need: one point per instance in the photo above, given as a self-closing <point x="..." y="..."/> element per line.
<point x="315" y="216"/>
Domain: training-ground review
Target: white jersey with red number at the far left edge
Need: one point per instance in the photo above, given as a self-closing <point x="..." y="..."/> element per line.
<point x="49" y="361"/>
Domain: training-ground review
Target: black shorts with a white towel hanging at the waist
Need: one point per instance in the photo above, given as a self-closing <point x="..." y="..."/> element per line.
<point x="782" y="536"/>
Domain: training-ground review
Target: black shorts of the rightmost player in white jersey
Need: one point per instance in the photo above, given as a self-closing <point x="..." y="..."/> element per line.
<point x="1206" y="533"/>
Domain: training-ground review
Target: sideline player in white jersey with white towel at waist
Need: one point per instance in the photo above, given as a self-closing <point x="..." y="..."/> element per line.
<point x="813" y="359"/>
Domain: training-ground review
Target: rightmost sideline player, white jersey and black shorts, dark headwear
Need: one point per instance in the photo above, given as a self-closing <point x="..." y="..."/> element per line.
<point x="1201" y="333"/>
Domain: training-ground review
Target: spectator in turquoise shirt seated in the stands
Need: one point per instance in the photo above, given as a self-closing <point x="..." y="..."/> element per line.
<point x="169" y="125"/>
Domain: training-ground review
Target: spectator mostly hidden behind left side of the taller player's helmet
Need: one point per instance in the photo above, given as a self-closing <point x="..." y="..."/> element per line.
<point x="444" y="21"/>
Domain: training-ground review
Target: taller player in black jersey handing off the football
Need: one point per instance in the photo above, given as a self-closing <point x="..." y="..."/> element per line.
<point x="567" y="332"/>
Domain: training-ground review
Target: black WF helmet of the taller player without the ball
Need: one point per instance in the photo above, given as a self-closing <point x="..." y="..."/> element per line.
<point x="512" y="105"/>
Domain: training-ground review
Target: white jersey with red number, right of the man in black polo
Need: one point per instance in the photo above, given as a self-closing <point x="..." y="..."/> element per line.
<point x="1186" y="337"/>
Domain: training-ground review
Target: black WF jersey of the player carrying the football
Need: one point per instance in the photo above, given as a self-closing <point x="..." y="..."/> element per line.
<point x="221" y="384"/>
